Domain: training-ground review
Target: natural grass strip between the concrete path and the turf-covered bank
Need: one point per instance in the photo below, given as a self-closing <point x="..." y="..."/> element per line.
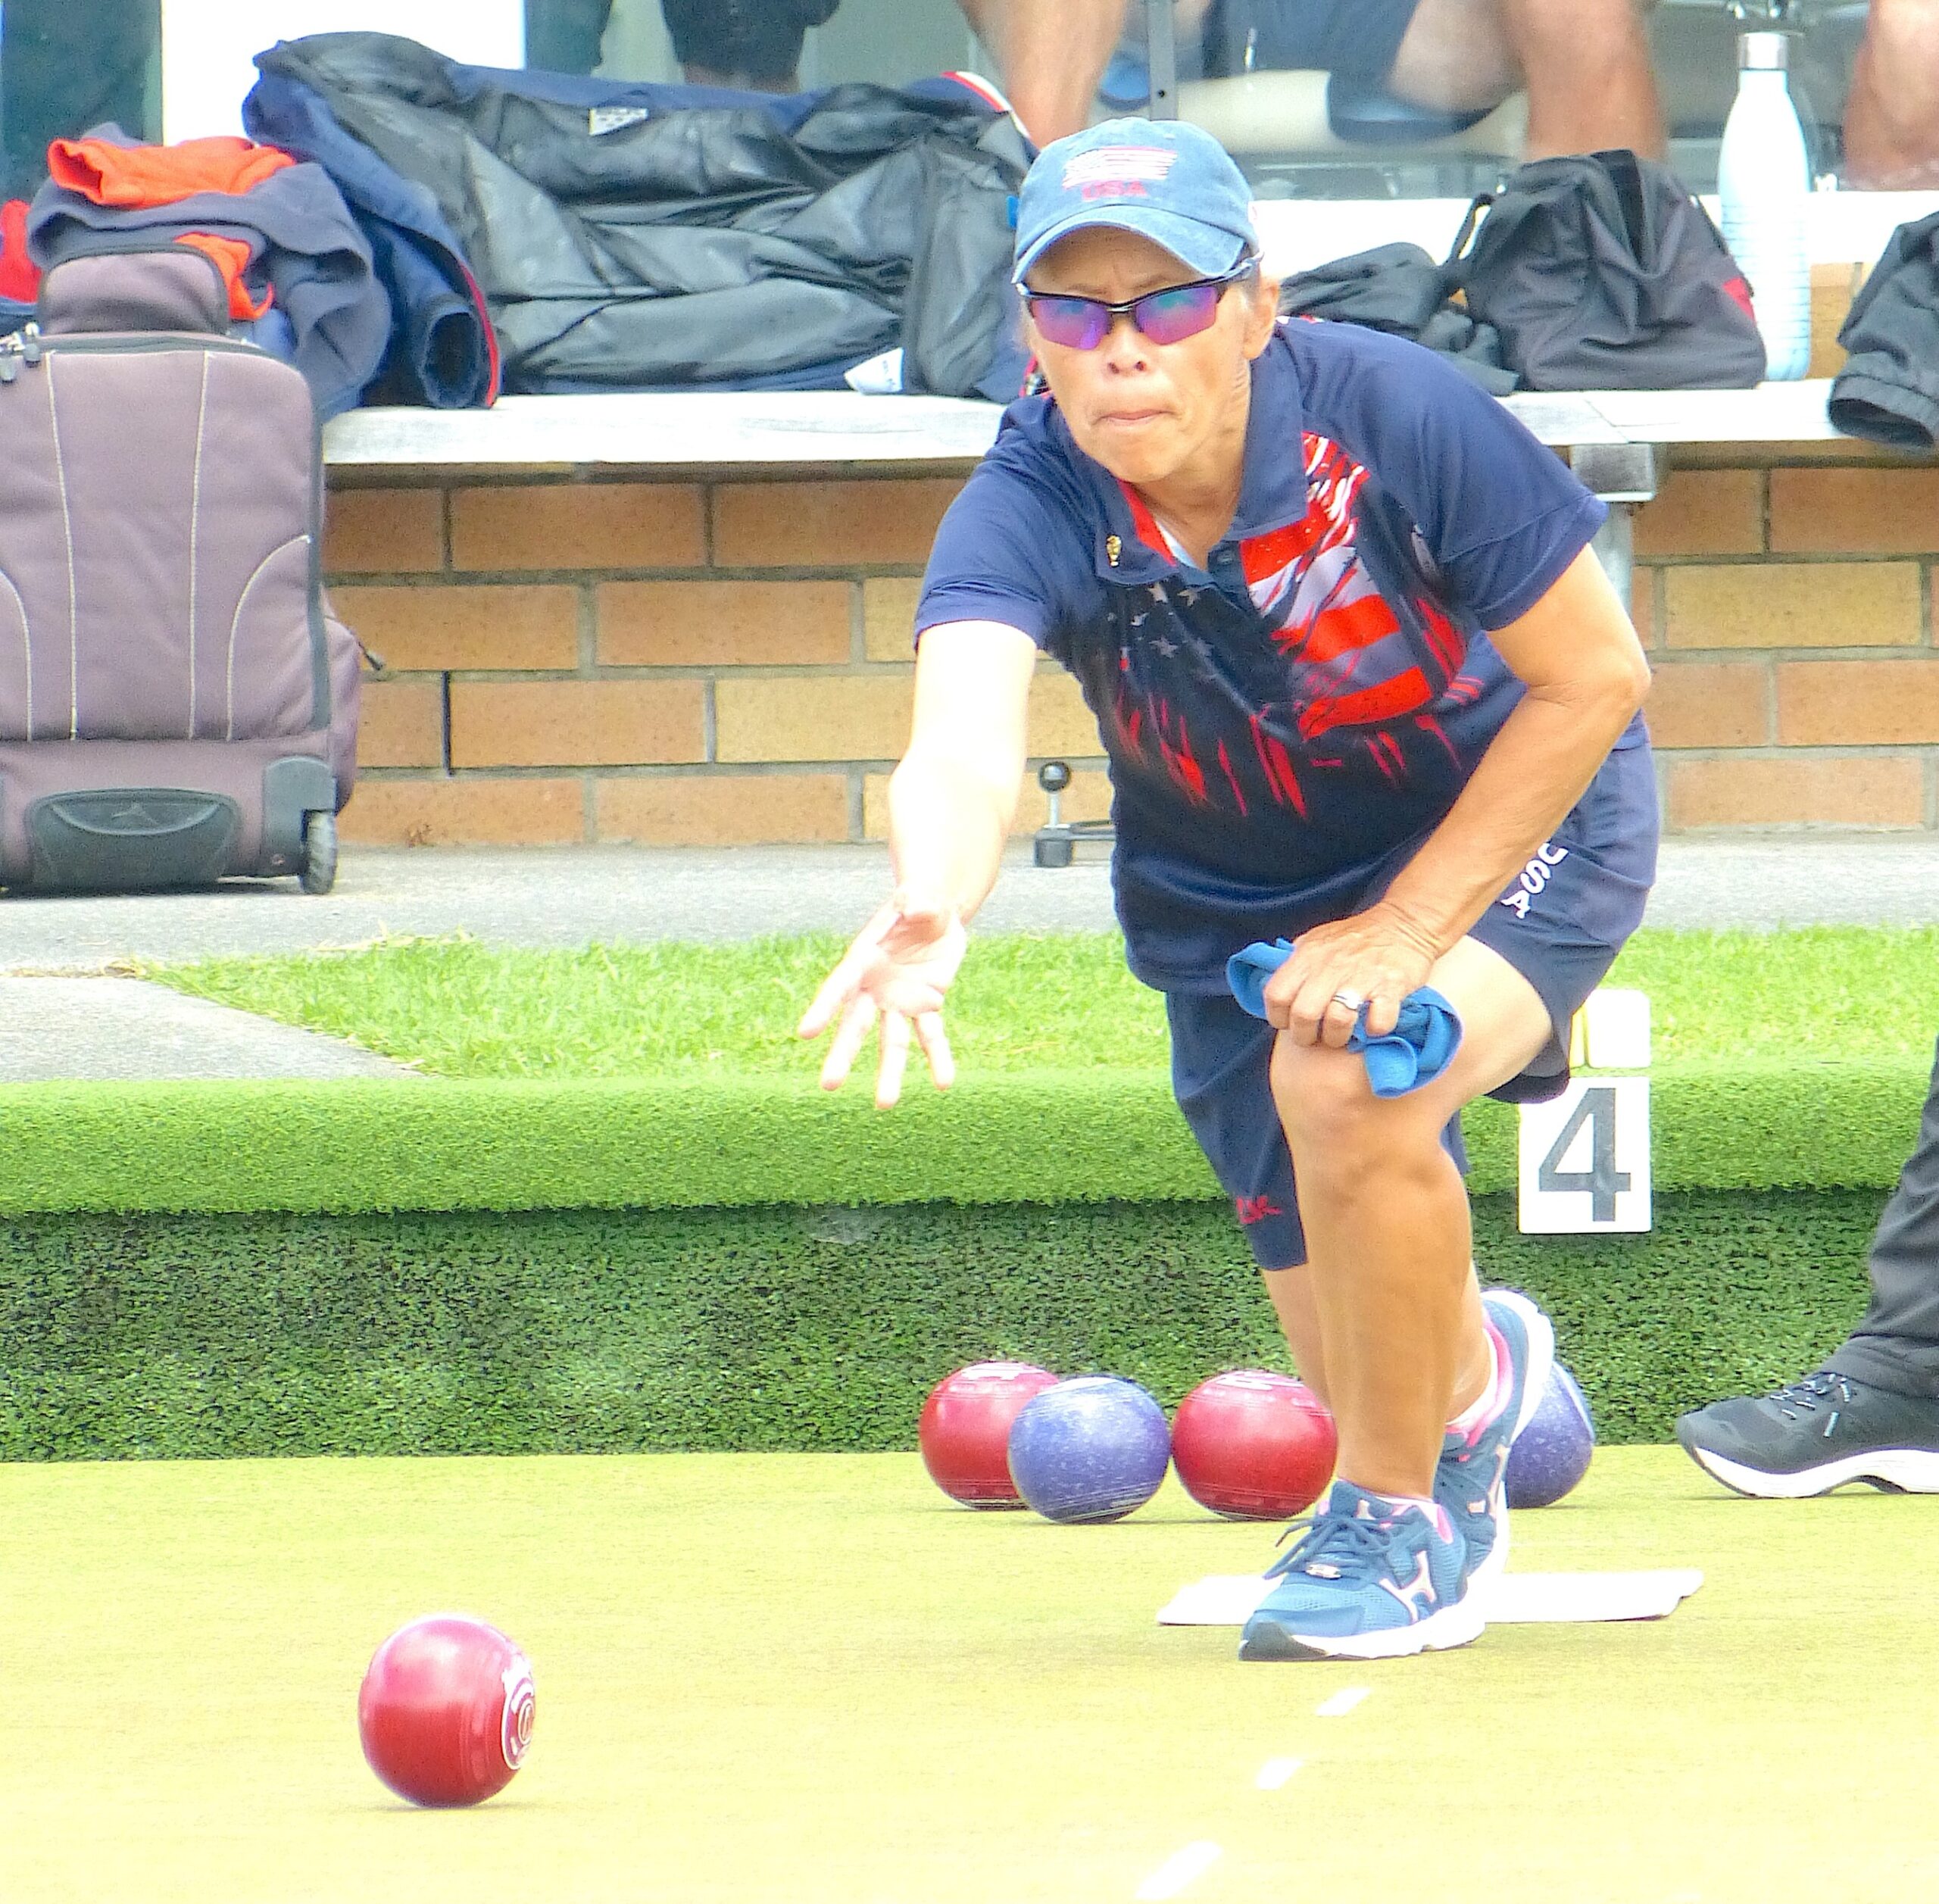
<point x="1023" y="1003"/>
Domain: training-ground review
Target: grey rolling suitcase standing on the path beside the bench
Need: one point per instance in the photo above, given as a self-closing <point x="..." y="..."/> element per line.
<point x="175" y="699"/>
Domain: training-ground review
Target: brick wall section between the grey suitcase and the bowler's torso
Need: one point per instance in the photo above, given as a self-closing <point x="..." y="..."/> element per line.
<point x="652" y="662"/>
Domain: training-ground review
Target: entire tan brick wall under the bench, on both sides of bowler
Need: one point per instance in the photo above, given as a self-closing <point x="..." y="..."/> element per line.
<point x="730" y="662"/>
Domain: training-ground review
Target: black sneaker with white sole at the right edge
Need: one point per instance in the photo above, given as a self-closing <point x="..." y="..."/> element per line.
<point x="1816" y="1436"/>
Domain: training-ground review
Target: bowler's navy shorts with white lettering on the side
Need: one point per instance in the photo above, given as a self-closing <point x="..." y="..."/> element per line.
<point x="1560" y="924"/>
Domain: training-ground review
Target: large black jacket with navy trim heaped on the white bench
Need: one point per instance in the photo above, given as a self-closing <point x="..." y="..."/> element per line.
<point x="631" y="236"/>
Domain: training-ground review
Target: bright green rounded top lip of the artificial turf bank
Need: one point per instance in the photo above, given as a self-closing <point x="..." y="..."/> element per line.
<point x="1048" y="1137"/>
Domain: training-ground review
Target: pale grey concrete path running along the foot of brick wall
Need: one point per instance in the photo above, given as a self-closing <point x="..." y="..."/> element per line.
<point x="55" y="1025"/>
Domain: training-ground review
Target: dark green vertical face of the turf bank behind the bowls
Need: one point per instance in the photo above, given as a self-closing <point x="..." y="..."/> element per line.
<point x="817" y="1329"/>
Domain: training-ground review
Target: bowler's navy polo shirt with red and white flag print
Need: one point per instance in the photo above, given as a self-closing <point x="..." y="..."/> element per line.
<point x="1287" y="728"/>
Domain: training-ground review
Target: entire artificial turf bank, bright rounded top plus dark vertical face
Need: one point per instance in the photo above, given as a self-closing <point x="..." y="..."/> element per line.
<point x="730" y="1259"/>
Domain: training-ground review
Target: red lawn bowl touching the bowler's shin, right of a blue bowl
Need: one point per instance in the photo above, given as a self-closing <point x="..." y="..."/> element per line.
<point x="1254" y="1445"/>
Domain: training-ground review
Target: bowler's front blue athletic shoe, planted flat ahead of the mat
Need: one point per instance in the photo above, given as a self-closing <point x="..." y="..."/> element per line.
<point x="1370" y="1581"/>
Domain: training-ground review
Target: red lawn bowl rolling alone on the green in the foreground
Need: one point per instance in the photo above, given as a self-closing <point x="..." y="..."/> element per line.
<point x="445" y="1711"/>
